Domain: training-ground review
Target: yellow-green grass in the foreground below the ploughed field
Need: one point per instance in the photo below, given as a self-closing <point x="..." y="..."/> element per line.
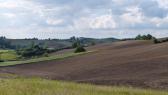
<point x="35" y="86"/>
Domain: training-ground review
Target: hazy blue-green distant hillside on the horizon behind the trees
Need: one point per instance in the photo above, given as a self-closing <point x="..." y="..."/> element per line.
<point x="59" y="43"/>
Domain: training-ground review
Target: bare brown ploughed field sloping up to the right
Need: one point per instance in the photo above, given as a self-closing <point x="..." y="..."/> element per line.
<point x="127" y="63"/>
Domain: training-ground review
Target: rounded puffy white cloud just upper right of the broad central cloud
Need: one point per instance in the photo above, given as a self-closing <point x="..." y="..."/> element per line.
<point x="133" y="15"/>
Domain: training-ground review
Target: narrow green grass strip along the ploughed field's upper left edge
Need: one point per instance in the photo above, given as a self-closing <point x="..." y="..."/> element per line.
<point x="55" y="57"/>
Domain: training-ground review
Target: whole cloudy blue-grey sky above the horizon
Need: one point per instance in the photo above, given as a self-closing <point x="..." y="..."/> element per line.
<point x="83" y="18"/>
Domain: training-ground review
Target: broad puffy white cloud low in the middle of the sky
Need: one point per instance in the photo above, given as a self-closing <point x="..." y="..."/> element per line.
<point x="99" y="22"/>
